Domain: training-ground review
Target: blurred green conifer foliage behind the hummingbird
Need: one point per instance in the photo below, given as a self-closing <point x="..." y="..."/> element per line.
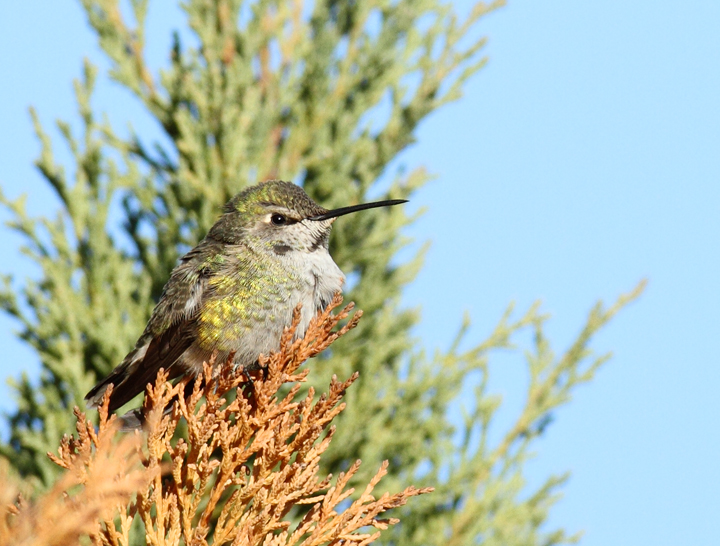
<point x="287" y="91"/>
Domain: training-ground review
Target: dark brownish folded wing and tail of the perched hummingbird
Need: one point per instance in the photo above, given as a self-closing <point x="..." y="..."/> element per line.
<point x="170" y="332"/>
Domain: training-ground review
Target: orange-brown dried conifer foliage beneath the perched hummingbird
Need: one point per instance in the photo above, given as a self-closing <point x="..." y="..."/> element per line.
<point x="237" y="478"/>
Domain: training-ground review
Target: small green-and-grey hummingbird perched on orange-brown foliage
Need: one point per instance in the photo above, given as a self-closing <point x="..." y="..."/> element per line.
<point x="236" y="290"/>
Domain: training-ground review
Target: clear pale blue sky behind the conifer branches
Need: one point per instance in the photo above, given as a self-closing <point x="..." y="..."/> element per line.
<point x="582" y="159"/>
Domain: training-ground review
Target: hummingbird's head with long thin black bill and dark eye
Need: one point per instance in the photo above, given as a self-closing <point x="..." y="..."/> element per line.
<point x="280" y="217"/>
